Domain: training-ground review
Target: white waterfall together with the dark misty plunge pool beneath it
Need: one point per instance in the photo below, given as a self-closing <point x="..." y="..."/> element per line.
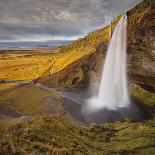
<point x="112" y="101"/>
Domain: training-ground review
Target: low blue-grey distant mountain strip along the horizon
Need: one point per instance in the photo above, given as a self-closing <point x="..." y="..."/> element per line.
<point x="34" y="44"/>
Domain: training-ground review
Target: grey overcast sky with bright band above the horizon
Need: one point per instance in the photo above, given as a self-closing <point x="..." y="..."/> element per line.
<point x="38" y="20"/>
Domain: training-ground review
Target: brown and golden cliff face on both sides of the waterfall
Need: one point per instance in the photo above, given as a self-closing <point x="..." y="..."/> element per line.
<point x="141" y="53"/>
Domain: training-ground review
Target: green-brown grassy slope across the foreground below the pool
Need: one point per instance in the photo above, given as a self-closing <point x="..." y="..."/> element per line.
<point x="55" y="135"/>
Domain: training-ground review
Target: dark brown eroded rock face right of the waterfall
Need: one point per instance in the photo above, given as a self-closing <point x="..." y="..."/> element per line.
<point x="141" y="43"/>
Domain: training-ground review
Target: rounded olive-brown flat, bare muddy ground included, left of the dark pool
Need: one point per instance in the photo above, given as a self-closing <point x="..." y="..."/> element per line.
<point x="28" y="100"/>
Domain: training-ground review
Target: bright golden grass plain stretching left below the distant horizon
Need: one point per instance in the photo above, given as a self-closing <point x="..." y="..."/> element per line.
<point x="29" y="66"/>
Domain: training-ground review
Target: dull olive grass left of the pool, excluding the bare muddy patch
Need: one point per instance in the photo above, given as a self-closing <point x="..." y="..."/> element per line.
<point x="27" y="100"/>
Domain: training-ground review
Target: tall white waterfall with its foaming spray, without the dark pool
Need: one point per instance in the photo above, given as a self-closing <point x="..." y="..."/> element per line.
<point x="113" y="91"/>
